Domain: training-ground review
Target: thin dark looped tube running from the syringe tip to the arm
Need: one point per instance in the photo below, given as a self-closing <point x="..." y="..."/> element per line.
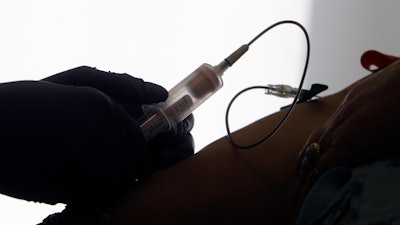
<point x="267" y="137"/>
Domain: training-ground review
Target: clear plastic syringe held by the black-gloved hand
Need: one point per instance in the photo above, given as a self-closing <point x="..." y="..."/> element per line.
<point x="186" y="96"/>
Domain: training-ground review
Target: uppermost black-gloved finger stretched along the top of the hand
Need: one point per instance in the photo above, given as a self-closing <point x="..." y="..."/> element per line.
<point x="120" y="87"/>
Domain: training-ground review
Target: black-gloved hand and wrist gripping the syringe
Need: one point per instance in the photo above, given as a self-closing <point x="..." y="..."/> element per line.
<point x="70" y="137"/>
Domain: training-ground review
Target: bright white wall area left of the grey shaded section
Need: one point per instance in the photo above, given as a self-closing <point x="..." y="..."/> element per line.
<point x="159" y="41"/>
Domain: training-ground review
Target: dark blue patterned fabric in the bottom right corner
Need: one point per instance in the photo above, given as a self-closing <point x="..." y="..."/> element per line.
<point x="367" y="195"/>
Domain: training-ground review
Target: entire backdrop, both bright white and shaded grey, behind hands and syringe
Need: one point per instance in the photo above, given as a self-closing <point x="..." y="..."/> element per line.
<point x="163" y="41"/>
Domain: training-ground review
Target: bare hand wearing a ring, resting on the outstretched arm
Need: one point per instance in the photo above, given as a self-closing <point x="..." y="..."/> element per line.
<point x="363" y="129"/>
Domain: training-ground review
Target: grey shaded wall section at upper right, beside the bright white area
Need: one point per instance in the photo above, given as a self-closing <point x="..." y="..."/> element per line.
<point x="342" y="30"/>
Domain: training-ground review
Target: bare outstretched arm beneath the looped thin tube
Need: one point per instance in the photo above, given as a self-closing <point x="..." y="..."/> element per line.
<point x="225" y="185"/>
